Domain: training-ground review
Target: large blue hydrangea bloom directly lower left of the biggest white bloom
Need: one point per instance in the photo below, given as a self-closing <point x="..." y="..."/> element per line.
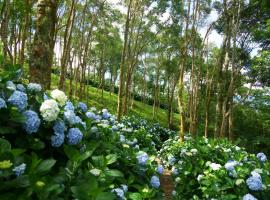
<point x="32" y="122"/>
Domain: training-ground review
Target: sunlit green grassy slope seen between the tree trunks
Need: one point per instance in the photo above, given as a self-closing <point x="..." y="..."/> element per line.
<point x="110" y="102"/>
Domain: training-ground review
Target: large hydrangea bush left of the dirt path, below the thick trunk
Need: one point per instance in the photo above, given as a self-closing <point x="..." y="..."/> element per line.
<point x="54" y="148"/>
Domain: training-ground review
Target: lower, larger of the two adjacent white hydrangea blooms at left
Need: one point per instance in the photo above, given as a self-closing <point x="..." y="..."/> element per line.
<point x="49" y="110"/>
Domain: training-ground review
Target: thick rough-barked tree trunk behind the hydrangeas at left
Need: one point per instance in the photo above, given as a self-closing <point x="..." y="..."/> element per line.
<point x="42" y="48"/>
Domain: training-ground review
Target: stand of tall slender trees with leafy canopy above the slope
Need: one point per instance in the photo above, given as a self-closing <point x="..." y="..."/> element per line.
<point x="152" y="49"/>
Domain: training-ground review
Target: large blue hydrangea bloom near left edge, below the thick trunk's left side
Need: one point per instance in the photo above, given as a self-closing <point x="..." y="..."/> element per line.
<point x="19" y="100"/>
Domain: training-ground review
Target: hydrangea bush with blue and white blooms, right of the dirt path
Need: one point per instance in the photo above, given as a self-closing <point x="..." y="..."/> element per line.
<point x="208" y="169"/>
